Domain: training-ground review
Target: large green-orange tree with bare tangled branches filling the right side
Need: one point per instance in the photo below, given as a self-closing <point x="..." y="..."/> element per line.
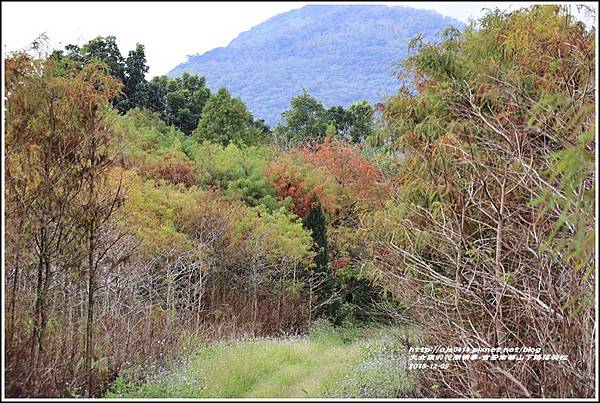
<point x="491" y="222"/>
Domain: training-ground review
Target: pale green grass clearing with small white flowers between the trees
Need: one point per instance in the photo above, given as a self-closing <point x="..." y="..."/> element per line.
<point x="329" y="362"/>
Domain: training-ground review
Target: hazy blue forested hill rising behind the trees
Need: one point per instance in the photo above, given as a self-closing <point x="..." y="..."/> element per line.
<point x="338" y="53"/>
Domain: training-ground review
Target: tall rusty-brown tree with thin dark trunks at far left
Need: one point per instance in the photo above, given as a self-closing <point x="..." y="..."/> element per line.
<point x="57" y="147"/>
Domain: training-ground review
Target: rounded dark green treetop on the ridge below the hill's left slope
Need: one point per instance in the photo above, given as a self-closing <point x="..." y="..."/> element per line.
<point x="226" y="120"/>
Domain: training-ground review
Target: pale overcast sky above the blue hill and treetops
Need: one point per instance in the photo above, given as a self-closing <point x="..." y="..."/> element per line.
<point x="169" y="30"/>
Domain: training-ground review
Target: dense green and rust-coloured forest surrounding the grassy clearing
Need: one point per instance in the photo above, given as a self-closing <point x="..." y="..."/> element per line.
<point x="145" y="216"/>
